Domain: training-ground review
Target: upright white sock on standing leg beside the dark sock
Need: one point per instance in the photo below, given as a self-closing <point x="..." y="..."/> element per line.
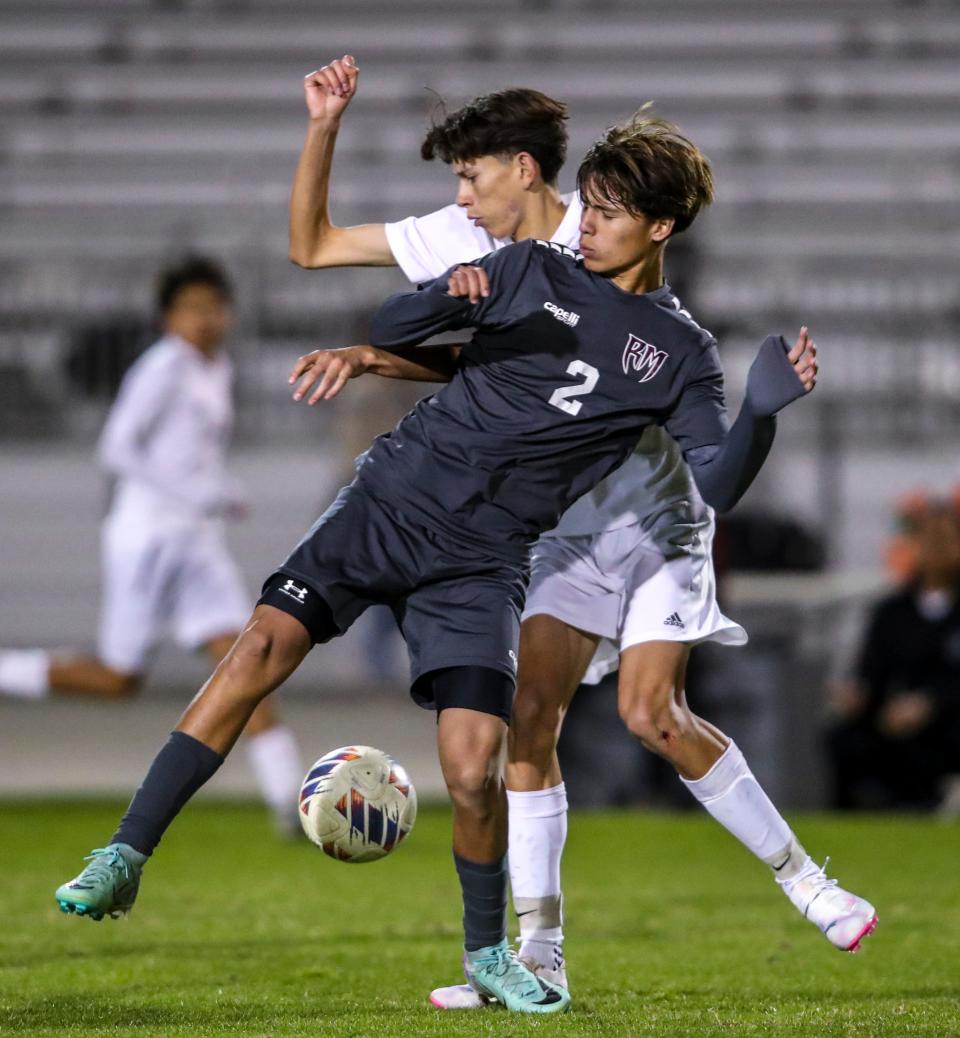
<point x="538" y="832"/>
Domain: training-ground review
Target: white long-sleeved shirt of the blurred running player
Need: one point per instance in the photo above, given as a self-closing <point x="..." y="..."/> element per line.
<point x="166" y="438"/>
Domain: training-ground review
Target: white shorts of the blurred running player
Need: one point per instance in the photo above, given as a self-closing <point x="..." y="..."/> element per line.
<point x="177" y="580"/>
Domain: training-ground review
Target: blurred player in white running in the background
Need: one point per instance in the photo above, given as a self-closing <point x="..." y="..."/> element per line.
<point x="166" y="563"/>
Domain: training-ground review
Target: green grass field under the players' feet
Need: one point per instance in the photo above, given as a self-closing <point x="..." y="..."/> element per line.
<point x="673" y="931"/>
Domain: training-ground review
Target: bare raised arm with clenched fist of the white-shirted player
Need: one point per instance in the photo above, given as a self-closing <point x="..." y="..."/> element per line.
<point x="314" y="239"/>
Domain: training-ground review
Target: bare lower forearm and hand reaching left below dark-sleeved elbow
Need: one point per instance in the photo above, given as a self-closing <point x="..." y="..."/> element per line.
<point x="326" y="372"/>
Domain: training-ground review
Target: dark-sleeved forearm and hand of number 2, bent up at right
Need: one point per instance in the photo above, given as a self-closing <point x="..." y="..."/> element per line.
<point x="780" y="375"/>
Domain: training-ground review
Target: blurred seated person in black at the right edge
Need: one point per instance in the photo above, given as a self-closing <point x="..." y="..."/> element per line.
<point x="899" y="734"/>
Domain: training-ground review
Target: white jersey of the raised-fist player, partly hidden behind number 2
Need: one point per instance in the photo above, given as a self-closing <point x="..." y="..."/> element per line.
<point x="654" y="488"/>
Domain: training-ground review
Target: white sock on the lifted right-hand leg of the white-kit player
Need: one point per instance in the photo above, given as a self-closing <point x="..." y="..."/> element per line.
<point x="734" y="798"/>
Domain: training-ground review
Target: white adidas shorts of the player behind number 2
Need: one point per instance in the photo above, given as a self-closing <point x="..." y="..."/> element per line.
<point x="618" y="585"/>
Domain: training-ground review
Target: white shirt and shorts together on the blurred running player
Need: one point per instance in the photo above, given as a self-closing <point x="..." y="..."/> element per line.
<point x="167" y="566"/>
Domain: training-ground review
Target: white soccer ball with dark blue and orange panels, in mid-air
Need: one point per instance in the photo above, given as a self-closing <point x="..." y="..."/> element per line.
<point x="358" y="804"/>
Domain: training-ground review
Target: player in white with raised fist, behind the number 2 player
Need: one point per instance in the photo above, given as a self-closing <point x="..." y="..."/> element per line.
<point x="626" y="579"/>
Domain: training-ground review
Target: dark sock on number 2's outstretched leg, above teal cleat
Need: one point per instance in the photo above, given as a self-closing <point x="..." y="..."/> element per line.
<point x="179" y="771"/>
